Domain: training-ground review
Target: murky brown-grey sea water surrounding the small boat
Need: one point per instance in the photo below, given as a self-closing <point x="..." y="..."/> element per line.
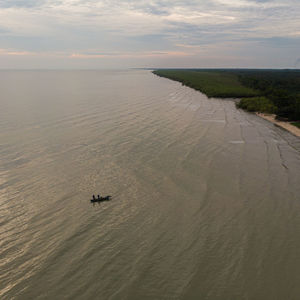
<point x="206" y="198"/>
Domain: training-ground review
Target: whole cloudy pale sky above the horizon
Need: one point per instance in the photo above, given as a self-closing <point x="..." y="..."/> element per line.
<point x="104" y="34"/>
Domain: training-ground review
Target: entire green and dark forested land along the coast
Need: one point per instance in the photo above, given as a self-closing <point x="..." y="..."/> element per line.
<point x="269" y="91"/>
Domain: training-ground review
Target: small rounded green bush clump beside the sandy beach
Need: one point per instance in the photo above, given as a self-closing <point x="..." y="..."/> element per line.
<point x="259" y="104"/>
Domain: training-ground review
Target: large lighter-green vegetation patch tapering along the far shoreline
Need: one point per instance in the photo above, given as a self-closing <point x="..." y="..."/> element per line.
<point x="213" y="84"/>
